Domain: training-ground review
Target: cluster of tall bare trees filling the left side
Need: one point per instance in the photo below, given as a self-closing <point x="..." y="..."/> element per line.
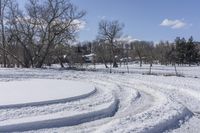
<point x="37" y="34"/>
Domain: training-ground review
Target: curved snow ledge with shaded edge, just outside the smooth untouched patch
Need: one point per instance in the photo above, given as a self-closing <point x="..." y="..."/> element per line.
<point x="103" y="112"/>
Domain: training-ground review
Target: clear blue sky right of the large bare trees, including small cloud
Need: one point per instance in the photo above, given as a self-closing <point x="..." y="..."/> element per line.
<point x="151" y="20"/>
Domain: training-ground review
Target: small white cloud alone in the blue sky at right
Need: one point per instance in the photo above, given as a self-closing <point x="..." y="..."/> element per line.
<point x="174" y="24"/>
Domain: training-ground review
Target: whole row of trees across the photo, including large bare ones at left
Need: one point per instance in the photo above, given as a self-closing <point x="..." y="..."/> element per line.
<point x="43" y="34"/>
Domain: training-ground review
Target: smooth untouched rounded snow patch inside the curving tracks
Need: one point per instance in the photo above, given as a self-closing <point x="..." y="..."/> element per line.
<point x="41" y="91"/>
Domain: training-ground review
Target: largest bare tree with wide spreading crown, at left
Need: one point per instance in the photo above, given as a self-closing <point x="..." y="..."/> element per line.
<point x="44" y="26"/>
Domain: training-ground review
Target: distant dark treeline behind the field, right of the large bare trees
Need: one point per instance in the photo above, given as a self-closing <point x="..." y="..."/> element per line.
<point x="180" y="52"/>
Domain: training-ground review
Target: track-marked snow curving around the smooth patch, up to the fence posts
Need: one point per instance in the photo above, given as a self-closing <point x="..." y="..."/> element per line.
<point x="121" y="103"/>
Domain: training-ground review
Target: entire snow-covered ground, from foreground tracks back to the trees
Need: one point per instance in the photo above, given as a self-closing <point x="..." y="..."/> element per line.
<point x="86" y="101"/>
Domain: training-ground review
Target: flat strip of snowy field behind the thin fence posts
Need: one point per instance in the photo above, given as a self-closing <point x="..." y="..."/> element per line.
<point x="189" y="71"/>
